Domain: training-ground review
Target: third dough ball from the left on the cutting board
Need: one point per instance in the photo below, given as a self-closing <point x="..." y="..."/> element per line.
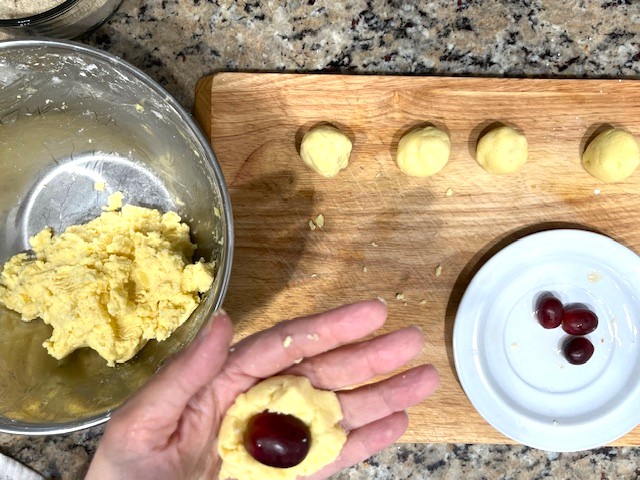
<point x="502" y="150"/>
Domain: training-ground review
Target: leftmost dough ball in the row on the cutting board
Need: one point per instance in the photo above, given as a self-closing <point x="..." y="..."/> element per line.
<point x="325" y="149"/>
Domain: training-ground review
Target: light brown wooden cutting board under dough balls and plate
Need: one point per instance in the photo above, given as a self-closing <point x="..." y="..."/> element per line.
<point x="415" y="242"/>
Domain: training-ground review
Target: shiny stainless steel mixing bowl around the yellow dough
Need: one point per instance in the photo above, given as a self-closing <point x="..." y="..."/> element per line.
<point x="77" y="125"/>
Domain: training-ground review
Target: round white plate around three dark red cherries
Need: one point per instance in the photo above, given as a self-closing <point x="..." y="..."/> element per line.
<point x="512" y="369"/>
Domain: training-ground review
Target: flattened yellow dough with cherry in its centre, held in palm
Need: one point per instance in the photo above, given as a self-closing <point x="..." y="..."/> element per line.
<point x="281" y="429"/>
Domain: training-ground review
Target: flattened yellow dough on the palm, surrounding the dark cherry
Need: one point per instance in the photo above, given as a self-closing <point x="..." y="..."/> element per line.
<point x="287" y="394"/>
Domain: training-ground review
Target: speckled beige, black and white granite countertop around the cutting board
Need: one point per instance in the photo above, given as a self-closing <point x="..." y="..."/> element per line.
<point x="179" y="41"/>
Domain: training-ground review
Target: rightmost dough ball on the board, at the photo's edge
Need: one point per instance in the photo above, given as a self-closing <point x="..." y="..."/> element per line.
<point x="612" y="156"/>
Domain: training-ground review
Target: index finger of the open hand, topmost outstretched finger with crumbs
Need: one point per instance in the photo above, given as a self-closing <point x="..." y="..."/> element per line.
<point x="266" y="353"/>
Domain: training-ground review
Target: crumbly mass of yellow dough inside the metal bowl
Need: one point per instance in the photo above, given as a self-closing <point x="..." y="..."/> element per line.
<point x="111" y="284"/>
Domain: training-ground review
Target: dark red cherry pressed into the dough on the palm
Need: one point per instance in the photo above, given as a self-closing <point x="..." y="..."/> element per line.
<point x="277" y="440"/>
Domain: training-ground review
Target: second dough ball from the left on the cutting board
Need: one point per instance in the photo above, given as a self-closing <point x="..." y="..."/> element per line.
<point x="423" y="152"/>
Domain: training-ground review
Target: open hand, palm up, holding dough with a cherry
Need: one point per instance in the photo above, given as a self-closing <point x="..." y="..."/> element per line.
<point x="169" y="429"/>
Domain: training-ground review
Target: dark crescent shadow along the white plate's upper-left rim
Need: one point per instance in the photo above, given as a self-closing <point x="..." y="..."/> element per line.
<point x="478" y="260"/>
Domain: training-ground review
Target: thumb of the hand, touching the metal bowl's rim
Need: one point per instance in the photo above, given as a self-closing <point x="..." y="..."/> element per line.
<point x="163" y="399"/>
